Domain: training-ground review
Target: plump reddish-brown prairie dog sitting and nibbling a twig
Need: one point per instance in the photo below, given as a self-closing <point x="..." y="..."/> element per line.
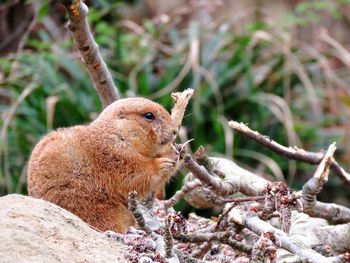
<point x="89" y="170"/>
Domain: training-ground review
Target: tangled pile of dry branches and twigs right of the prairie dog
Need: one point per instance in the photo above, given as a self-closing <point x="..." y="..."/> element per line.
<point x="270" y="222"/>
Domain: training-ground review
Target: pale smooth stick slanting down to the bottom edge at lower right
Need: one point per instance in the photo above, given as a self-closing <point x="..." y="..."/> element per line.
<point x="258" y="226"/>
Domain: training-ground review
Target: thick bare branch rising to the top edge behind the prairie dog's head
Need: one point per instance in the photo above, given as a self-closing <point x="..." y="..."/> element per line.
<point x="88" y="48"/>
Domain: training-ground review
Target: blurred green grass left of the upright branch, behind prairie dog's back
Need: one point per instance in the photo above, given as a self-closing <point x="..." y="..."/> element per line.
<point x="34" y="81"/>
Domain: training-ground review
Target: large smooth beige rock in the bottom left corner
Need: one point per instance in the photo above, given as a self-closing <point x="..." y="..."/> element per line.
<point x="33" y="230"/>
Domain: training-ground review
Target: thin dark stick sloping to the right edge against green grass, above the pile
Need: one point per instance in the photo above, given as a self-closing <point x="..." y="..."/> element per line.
<point x="291" y="153"/>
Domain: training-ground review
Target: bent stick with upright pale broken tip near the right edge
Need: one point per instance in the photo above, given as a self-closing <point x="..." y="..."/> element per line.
<point x="333" y="212"/>
